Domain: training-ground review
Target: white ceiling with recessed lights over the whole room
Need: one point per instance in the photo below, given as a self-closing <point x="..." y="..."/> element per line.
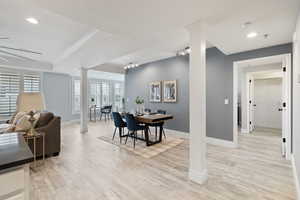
<point x="110" y="34"/>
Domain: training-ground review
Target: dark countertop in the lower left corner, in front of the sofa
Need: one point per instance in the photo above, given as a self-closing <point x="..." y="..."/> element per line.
<point x="14" y="151"/>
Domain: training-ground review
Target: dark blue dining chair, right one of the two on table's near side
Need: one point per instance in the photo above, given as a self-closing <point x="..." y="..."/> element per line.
<point x="133" y="127"/>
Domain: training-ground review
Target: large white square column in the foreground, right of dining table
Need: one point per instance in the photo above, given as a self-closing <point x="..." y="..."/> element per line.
<point x="197" y="76"/>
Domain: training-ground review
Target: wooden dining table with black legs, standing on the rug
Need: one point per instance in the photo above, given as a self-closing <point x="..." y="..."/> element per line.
<point x="149" y="119"/>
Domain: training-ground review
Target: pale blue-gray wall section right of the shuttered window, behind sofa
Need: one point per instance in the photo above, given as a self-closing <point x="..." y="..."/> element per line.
<point x="57" y="90"/>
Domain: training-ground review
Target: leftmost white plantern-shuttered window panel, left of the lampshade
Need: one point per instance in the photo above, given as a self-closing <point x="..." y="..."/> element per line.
<point x="9" y="90"/>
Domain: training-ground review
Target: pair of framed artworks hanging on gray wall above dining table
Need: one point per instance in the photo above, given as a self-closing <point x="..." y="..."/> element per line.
<point x="169" y="91"/>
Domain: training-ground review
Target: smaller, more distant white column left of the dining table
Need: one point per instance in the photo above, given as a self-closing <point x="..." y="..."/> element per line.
<point x="83" y="101"/>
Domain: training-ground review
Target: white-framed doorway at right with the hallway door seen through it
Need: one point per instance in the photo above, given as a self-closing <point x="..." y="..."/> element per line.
<point x="253" y="80"/>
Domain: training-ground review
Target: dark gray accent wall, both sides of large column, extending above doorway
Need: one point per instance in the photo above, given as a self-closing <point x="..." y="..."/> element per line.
<point x="219" y="87"/>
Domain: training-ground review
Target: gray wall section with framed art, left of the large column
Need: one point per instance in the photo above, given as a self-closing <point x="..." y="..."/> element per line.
<point x="137" y="80"/>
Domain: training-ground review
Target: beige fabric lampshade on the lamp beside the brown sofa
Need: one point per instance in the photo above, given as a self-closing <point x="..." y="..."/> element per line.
<point x="30" y="101"/>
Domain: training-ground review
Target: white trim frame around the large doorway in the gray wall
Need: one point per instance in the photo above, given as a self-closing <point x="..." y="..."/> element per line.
<point x="284" y="58"/>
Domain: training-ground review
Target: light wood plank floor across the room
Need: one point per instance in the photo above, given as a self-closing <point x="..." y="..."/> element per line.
<point x="91" y="169"/>
